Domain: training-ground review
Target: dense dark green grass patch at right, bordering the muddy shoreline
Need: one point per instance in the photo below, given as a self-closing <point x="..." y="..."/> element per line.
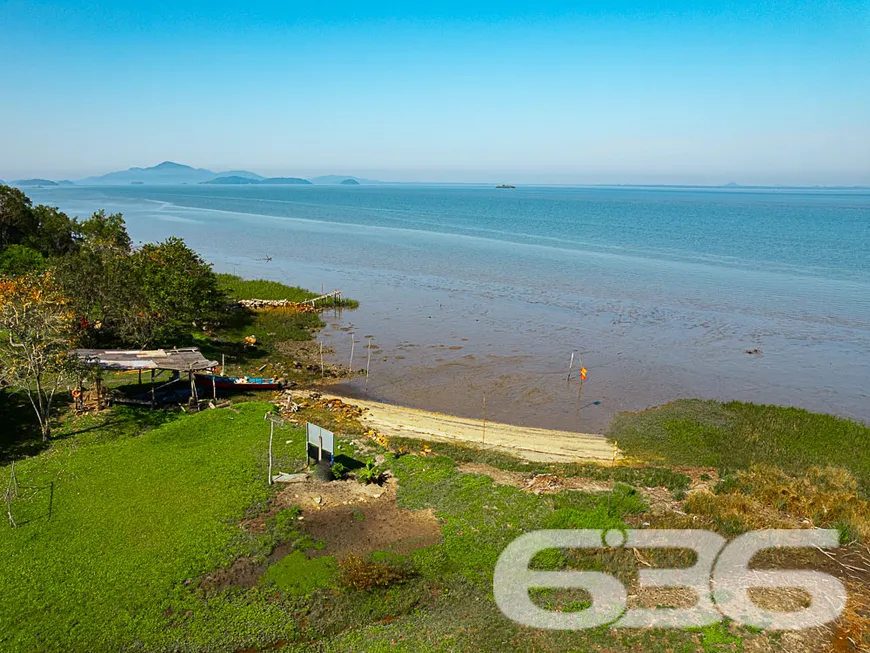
<point x="736" y="435"/>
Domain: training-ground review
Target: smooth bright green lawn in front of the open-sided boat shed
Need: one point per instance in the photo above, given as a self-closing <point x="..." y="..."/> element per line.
<point x="112" y="526"/>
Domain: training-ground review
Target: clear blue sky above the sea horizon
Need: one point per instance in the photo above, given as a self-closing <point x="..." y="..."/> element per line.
<point x="562" y="92"/>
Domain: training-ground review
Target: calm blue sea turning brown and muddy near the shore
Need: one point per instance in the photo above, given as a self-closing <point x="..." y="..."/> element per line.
<point x="467" y="290"/>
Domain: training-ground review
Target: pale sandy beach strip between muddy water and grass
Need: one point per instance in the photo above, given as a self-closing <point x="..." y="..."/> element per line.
<point x="529" y="443"/>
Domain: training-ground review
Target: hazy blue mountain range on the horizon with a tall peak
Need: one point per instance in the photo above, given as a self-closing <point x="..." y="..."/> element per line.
<point x="169" y="172"/>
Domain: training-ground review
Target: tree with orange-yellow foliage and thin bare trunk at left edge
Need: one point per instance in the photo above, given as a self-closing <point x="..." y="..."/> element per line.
<point x="38" y="334"/>
